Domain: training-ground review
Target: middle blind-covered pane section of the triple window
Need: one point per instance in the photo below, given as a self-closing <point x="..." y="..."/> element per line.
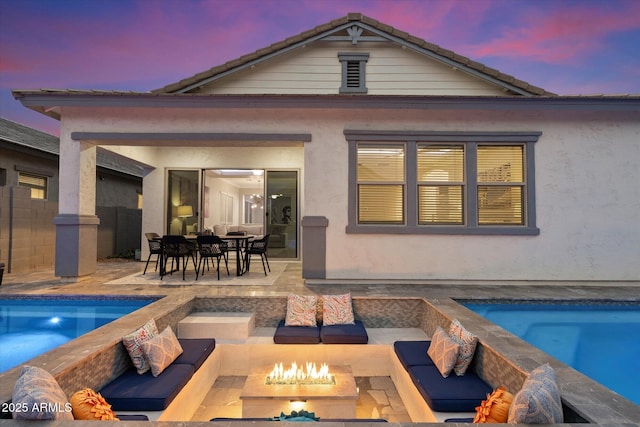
<point x="440" y="184"/>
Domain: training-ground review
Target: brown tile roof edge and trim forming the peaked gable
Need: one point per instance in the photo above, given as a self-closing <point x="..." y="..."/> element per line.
<point x="334" y="25"/>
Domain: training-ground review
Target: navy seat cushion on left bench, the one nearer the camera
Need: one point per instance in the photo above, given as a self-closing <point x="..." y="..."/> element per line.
<point x="134" y="392"/>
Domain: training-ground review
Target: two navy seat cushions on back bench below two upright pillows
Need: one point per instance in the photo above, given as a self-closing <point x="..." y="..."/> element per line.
<point x="326" y="334"/>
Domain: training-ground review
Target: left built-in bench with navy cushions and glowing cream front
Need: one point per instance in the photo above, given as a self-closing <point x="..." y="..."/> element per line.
<point x="193" y="370"/>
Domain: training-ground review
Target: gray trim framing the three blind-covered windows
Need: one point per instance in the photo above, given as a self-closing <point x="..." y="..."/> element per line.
<point x="470" y="139"/>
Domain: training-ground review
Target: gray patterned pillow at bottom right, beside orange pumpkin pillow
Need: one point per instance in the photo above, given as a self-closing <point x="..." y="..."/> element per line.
<point x="538" y="402"/>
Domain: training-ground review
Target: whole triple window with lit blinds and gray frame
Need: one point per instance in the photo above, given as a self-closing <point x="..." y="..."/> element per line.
<point x="441" y="182"/>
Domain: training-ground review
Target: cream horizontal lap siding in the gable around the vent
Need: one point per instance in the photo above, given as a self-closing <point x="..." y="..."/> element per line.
<point x="316" y="69"/>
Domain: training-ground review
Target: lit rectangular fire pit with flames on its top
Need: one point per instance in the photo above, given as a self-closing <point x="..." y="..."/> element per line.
<point x="331" y="394"/>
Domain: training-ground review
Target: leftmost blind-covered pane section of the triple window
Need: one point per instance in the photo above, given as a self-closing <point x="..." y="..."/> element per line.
<point x="381" y="183"/>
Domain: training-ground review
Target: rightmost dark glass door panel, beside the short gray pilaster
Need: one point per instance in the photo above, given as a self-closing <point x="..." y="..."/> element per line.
<point x="281" y="215"/>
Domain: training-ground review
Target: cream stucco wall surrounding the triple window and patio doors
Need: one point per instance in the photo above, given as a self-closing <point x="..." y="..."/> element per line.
<point x="586" y="191"/>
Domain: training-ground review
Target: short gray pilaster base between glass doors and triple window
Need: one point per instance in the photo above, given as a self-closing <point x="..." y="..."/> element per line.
<point x="314" y="248"/>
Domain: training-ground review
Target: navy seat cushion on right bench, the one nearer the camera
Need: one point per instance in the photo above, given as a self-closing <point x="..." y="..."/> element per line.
<point x="452" y="394"/>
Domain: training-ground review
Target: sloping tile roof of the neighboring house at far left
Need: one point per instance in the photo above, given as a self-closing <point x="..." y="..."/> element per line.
<point x="27" y="137"/>
